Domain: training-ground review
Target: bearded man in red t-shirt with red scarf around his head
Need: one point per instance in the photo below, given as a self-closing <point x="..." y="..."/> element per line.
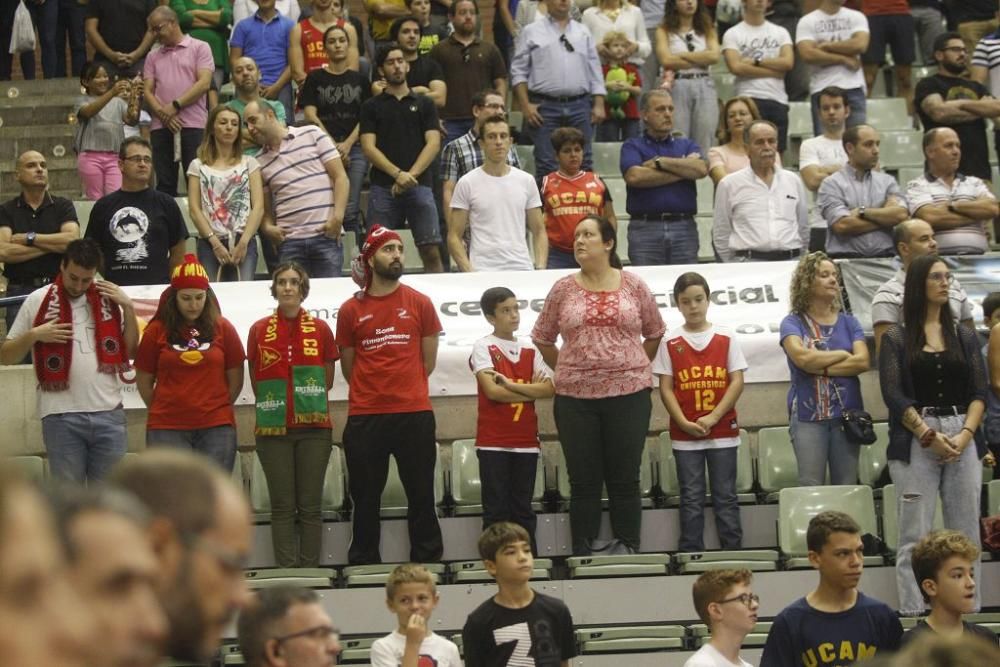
<point x="388" y="339"/>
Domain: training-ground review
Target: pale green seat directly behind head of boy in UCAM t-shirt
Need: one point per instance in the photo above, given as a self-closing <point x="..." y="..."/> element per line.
<point x="796" y="506"/>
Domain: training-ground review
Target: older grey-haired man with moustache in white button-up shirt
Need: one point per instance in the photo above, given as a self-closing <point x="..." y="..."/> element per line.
<point x="760" y="211"/>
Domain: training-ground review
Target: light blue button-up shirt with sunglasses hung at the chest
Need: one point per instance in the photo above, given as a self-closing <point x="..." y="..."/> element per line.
<point x="542" y="60"/>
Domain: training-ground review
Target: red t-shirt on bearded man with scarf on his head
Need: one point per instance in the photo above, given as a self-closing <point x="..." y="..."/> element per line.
<point x="386" y="333"/>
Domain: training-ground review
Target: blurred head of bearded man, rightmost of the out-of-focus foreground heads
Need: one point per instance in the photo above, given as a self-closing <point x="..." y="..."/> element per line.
<point x="200" y="531"/>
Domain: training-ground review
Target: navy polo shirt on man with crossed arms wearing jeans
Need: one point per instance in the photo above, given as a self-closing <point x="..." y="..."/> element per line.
<point x="679" y="197"/>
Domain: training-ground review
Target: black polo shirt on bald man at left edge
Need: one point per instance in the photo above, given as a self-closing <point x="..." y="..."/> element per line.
<point x="48" y="219"/>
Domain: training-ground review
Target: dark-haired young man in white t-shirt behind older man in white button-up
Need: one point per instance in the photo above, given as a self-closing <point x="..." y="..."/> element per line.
<point x="823" y="155"/>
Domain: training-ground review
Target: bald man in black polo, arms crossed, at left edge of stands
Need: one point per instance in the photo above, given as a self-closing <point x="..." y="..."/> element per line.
<point x="35" y="228"/>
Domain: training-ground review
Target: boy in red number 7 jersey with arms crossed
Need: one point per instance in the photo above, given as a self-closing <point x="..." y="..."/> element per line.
<point x="511" y="376"/>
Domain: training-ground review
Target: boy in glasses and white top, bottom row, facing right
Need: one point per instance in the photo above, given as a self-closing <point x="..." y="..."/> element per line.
<point x="724" y="601"/>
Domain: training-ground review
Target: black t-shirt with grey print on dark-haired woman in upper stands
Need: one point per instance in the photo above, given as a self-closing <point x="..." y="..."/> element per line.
<point x="337" y="98"/>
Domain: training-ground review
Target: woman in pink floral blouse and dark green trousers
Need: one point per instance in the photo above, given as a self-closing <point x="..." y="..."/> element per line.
<point x="610" y="327"/>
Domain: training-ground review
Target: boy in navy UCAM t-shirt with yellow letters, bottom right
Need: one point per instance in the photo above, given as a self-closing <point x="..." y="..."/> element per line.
<point x="836" y="624"/>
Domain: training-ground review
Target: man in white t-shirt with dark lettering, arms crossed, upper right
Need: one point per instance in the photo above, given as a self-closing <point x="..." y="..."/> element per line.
<point x="759" y="53"/>
